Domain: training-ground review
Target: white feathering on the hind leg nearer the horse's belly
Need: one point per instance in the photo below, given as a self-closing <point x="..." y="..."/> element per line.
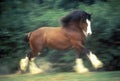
<point x="33" y="67"/>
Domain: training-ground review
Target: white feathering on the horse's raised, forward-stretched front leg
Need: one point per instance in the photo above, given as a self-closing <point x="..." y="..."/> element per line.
<point x="94" y="60"/>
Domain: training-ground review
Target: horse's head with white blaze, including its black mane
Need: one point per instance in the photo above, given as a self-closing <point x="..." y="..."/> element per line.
<point x="81" y="19"/>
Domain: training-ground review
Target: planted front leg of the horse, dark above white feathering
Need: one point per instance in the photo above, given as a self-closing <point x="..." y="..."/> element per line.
<point x="79" y="67"/>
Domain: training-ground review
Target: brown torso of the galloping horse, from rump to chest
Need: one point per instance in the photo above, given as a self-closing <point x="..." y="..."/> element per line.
<point x="56" y="37"/>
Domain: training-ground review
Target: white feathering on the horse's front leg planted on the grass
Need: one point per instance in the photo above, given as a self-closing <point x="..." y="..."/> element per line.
<point x="80" y="68"/>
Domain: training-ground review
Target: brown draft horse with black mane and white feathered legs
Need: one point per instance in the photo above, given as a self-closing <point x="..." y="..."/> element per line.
<point x="76" y="26"/>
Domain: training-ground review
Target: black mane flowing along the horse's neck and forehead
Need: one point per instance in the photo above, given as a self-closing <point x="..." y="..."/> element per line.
<point x="75" y="16"/>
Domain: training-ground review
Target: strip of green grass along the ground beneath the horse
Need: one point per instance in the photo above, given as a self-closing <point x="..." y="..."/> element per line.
<point x="92" y="76"/>
